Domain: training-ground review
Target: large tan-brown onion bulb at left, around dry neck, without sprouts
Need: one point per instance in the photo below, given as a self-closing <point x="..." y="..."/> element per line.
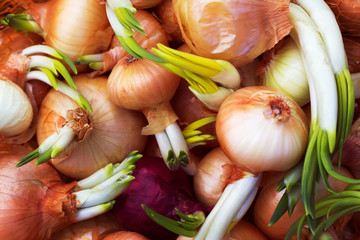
<point x="115" y="131"/>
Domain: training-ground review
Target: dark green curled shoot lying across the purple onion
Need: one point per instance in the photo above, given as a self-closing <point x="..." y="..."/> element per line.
<point x="187" y="226"/>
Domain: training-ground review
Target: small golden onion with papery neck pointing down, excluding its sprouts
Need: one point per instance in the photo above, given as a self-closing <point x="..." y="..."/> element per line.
<point x="143" y="85"/>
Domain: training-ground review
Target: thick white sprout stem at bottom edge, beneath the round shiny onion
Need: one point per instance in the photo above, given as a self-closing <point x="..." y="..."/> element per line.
<point x="234" y="202"/>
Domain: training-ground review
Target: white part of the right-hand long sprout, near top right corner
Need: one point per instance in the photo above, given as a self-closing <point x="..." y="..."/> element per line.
<point x="326" y="24"/>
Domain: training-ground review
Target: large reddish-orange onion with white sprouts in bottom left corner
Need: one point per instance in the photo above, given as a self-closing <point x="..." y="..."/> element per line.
<point x="36" y="203"/>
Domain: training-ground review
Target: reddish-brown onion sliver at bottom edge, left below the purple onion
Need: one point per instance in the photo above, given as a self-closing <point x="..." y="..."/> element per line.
<point x="90" y="229"/>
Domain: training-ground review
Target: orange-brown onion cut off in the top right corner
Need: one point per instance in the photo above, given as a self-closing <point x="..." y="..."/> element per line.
<point x="347" y="15"/>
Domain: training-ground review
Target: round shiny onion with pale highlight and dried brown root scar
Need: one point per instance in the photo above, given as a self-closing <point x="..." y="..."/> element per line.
<point x="261" y="129"/>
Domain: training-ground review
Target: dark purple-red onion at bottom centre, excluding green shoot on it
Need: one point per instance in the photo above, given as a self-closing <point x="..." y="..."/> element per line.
<point x="158" y="188"/>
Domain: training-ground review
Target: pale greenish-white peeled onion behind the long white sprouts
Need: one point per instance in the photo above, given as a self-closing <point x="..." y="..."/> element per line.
<point x="284" y="70"/>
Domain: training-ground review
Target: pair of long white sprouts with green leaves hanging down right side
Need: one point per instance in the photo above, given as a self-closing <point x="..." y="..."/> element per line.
<point x="331" y="95"/>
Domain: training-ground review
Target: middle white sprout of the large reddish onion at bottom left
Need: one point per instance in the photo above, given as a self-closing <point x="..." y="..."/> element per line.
<point x="98" y="196"/>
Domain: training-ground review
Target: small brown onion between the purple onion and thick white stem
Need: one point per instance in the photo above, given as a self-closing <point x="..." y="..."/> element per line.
<point x="212" y="176"/>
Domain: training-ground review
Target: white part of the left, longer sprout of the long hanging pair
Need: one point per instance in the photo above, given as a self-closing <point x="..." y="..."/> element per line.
<point x="318" y="69"/>
